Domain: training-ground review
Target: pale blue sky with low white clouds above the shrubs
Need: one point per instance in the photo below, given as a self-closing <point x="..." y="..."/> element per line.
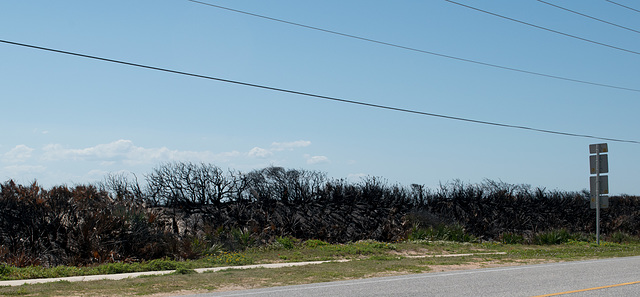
<point x="70" y="120"/>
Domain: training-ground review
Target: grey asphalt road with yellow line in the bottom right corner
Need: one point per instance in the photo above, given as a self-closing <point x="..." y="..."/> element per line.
<point x="608" y="277"/>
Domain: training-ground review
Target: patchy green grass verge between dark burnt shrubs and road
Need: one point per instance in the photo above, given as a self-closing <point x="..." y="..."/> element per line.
<point x="367" y="259"/>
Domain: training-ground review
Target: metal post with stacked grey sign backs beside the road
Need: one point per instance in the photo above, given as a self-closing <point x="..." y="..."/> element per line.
<point x="599" y="184"/>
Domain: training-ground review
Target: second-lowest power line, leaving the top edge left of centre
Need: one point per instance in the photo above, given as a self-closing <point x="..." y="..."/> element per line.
<point x="419" y="50"/>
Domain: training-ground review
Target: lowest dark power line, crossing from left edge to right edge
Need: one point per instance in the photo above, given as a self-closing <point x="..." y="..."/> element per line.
<point x="386" y="107"/>
